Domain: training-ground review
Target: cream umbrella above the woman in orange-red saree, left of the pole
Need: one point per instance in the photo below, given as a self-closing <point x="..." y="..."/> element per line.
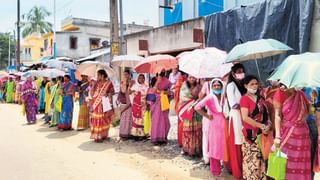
<point x="90" y="68"/>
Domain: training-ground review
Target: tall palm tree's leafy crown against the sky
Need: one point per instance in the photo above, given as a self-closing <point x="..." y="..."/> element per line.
<point x="35" y="21"/>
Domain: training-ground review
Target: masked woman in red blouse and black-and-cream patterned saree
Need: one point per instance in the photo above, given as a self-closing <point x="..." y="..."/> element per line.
<point x="256" y="122"/>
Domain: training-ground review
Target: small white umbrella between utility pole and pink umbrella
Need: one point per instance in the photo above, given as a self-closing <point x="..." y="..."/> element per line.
<point x="126" y="60"/>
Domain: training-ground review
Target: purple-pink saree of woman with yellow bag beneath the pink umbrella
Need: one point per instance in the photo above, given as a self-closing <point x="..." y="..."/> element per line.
<point x="160" y="124"/>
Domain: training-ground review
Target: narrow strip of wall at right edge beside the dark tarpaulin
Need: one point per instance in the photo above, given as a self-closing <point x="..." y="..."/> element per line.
<point x="315" y="31"/>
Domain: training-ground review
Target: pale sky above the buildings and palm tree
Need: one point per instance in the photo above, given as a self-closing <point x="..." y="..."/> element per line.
<point x="139" y="11"/>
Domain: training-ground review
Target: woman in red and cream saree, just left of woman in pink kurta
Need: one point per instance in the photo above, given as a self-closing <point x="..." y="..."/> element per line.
<point x="192" y="125"/>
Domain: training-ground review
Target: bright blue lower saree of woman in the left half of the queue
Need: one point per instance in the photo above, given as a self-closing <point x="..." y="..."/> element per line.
<point x="66" y="113"/>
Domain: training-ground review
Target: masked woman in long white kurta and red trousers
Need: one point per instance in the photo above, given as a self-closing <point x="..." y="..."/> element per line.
<point x="234" y="91"/>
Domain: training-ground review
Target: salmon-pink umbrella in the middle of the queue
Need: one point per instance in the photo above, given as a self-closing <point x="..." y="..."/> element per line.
<point x="154" y="64"/>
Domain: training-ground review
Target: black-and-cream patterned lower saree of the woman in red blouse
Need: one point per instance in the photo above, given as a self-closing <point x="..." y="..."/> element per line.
<point x="253" y="164"/>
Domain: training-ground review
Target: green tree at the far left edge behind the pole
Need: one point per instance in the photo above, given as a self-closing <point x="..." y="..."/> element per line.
<point x="4" y="48"/>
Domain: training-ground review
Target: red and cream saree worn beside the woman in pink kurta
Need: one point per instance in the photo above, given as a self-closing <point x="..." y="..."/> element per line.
<point x="192" y="127"/>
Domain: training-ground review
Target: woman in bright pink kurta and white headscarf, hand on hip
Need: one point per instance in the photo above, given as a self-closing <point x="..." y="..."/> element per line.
<point x="217" y="142"/>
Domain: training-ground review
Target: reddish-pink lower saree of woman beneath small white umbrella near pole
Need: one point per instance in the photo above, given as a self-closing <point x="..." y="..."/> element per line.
<point x="125" y="121"/>
